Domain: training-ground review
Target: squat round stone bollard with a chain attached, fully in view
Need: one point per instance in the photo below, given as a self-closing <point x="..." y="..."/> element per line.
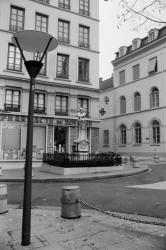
<point x="71" y="206"/>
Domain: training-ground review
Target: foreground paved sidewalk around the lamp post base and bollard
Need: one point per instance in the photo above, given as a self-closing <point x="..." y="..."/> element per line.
<point x="92" y="231"/>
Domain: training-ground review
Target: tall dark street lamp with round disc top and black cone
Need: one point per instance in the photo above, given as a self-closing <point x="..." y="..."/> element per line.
<point x="34" y="42"/>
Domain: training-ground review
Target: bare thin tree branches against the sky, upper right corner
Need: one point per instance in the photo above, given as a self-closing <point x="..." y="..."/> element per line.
<point x="142" y="12"/>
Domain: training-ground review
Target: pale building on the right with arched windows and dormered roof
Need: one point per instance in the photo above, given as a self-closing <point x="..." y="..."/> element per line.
<point x="133" y="102"/>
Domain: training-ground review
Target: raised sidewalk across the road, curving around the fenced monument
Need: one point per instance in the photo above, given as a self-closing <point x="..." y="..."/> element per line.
<point x="17" y="175"/>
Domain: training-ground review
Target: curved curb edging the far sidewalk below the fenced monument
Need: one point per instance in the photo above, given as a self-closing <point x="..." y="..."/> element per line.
<point x="72" y="179"/>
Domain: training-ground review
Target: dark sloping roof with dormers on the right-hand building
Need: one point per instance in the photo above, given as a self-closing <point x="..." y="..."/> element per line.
<point x="144" y="42"/>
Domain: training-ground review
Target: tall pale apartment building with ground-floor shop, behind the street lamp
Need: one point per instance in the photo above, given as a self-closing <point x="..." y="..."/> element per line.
<point x="67" y="82"/>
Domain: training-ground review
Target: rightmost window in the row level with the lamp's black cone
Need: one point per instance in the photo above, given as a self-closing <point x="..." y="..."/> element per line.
<point x="83" y="70"/>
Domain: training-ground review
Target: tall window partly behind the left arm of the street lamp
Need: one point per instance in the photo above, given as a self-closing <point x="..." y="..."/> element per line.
<point x="14" y="58"/>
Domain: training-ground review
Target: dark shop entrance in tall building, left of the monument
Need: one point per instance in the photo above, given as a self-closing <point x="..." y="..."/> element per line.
<point x="60" y="139"/>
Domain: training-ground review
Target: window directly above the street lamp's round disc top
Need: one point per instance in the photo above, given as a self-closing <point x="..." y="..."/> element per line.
<point x="41" y="22"/>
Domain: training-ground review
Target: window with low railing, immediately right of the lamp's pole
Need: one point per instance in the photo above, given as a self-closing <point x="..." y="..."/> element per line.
<point x="39" y="103"/>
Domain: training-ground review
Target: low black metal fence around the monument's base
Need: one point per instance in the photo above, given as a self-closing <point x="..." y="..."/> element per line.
<point x="82" y="160"/>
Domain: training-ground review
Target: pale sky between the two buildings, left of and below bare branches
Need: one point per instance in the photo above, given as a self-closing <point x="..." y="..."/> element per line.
<point x="111" y="38"/>
